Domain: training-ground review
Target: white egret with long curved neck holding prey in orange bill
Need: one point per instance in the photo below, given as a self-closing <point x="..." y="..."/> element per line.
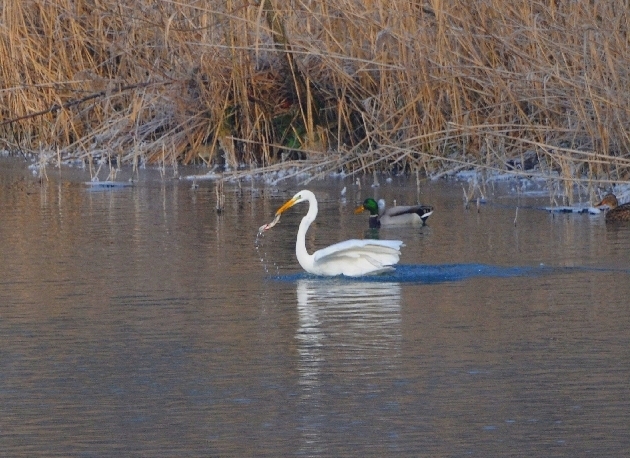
<point x="353" y="258"/>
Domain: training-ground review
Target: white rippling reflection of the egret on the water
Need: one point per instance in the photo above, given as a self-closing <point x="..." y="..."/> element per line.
<point x="349" y="338"/>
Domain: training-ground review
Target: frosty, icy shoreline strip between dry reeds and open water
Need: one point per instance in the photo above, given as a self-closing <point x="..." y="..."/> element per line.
<point x="473" y="181"/>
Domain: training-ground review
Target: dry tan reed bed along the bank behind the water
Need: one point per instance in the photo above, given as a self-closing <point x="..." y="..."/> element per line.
<point x="537" y="88"/>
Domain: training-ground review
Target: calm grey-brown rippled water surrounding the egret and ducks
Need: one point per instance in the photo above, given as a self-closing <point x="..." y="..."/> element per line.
<point x="138" y="322"/>
